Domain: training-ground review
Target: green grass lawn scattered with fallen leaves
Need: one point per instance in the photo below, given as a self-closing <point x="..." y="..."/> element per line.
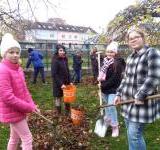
<point x="88" y="97"/>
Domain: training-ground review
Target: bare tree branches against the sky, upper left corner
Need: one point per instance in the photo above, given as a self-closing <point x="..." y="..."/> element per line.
<point x="17" y="15"/>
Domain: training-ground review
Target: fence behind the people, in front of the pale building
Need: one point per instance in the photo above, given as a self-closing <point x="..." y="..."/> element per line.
<point x="48" y="50"/>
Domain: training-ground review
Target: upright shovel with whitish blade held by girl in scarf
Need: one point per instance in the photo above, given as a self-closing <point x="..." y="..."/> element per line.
<point x="101" y="126"/>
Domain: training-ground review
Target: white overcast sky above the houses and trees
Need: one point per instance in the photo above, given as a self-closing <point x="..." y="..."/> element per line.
<point x="90" y="13"/>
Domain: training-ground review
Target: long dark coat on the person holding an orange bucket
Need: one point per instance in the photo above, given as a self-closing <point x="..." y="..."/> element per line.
<point x="60" y="74"/>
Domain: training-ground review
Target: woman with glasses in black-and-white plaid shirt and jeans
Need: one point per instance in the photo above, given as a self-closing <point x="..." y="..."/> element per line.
<point x="140" y="80"/>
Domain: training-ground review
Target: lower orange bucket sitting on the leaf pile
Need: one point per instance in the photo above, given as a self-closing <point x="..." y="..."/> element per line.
<point x="77" y="116"/>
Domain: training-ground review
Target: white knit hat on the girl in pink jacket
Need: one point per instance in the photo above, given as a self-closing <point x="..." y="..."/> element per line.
<point x="7" y="43"/>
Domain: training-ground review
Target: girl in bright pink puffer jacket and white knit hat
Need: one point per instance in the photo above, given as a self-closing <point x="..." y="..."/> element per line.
<point x="15" y="99"/>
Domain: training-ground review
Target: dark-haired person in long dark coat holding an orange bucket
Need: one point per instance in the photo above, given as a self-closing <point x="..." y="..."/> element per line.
<point x="61" y="77"/>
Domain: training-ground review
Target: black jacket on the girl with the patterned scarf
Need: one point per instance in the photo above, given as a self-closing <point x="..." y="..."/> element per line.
<point x="113" y="76"/>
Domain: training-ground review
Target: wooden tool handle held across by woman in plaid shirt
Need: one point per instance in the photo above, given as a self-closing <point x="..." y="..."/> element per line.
<point x="131" y="101"/>
